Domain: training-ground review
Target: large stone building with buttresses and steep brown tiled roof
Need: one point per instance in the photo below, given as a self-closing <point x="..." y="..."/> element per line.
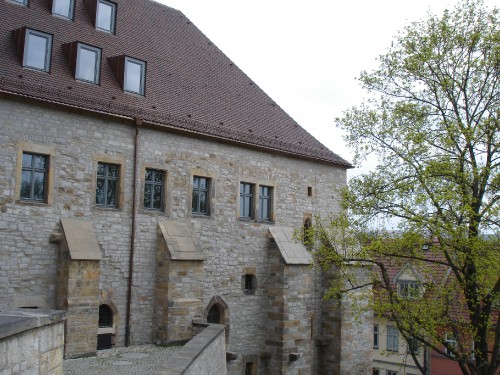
<point x="147" y="185"/>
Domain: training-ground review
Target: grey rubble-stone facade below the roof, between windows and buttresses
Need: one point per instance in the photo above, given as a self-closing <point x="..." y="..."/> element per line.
<point x="231" y="246"/>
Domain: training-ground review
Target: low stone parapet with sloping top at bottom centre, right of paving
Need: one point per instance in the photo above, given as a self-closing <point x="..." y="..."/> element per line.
<point x="204" y="354"/>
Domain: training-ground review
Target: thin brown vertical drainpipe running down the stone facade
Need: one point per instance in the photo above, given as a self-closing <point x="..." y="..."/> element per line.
<point x="138" y="122"/>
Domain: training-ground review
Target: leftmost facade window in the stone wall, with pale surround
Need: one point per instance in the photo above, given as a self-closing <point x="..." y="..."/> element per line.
<point x="34" y="177"/>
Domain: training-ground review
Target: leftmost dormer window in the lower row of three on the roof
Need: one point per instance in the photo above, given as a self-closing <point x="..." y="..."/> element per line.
<point x="35" y="48"/>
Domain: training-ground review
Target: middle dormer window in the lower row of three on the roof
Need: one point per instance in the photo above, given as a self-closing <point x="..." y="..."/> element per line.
<point x="84" y="61"/>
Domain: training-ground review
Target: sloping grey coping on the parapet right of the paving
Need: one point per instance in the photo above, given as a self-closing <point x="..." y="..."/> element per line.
<point x="180" y="361"/>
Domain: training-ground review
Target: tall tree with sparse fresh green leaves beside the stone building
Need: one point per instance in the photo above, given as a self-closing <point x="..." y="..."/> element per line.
<point x="432" y="120"/>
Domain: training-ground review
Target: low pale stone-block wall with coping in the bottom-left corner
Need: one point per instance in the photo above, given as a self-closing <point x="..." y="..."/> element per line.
<point x="31" y="342"/>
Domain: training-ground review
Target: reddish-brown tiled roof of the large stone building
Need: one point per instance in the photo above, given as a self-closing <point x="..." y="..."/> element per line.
<point x="191" y="85"/>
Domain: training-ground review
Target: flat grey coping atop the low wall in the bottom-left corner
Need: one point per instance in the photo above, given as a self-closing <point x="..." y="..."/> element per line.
<point x="15" y="321"/>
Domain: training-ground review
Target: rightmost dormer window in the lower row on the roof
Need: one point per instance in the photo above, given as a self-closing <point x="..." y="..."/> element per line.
<point x="130" y="73"/>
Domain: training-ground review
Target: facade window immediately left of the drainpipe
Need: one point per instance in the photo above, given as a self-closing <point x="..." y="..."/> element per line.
<point x="107" y="185"/>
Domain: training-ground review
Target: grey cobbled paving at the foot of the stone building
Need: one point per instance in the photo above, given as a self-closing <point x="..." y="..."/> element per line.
<point x="134" y="360"/>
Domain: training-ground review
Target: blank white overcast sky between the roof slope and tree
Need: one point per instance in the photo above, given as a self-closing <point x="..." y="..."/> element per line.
<point x="307" y="55"/>
